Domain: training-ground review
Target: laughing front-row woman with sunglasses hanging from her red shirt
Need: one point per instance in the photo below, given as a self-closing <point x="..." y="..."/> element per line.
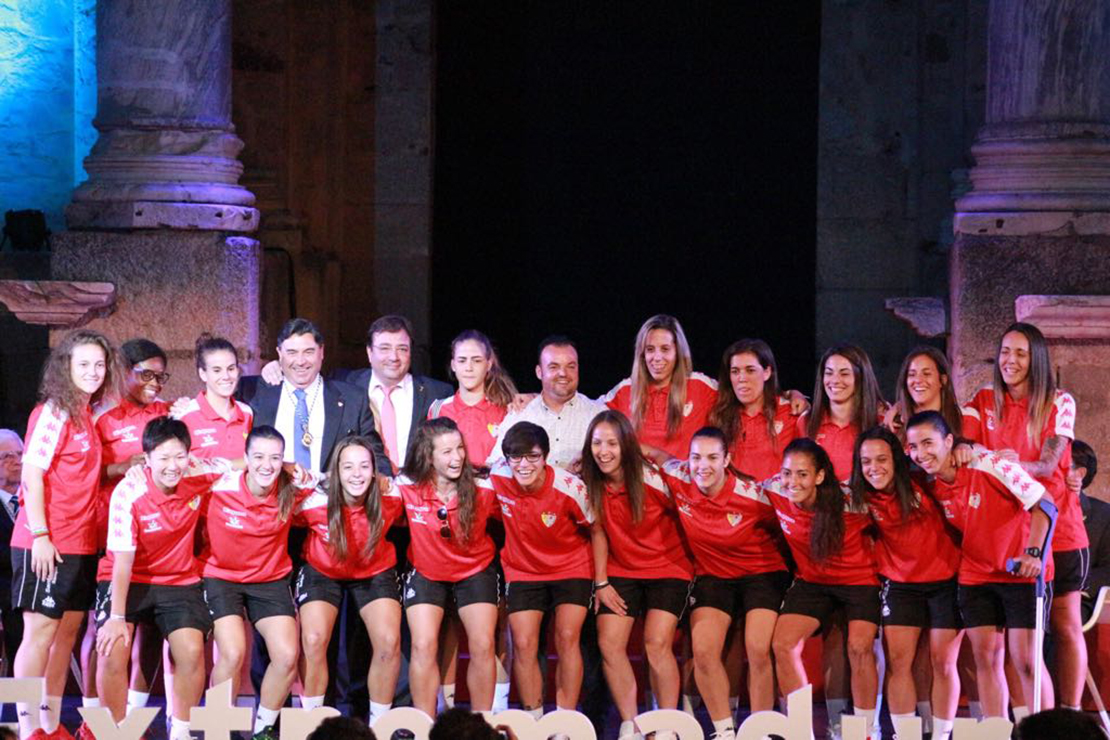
<point x="452" y="560"/>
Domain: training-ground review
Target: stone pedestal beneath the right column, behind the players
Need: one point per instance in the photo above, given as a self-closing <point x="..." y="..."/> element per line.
<point x="990" y="272"/>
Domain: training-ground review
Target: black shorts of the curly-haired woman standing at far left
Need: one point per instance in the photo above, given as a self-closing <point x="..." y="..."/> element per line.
<point x="74" y="587"/>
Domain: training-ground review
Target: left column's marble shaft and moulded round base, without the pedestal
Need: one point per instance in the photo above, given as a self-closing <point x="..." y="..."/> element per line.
<point x="167" y="153"/>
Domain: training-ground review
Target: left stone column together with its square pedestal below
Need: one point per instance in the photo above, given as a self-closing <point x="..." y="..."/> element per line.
<point x="163" y="216"/>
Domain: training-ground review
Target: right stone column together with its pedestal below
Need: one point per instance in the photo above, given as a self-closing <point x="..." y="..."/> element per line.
<point x="1037" y="219"/>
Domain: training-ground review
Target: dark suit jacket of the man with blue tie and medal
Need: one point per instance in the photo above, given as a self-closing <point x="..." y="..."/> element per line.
<point x="347" y="412"/>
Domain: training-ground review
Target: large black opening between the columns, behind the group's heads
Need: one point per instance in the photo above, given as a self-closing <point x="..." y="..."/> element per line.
<point x="600" y="163"/>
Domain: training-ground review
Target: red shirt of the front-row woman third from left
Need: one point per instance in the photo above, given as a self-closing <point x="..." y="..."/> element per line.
<point x="357" y="566"/>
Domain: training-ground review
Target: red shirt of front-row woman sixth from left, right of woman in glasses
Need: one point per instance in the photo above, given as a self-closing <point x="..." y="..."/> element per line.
<point x="654" y="549"/>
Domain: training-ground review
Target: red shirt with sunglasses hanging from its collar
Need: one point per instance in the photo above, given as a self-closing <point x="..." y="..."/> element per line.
<point x="446" y="559"/>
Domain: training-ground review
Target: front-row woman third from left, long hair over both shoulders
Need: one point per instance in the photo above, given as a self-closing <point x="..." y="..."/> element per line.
<point x="347" y="553"/>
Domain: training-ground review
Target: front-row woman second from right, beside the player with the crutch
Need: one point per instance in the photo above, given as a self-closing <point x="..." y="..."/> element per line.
<point x="917" y="560"/>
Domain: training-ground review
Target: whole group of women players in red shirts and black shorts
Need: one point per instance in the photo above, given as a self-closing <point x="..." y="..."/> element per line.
<point x="731" y="510"/>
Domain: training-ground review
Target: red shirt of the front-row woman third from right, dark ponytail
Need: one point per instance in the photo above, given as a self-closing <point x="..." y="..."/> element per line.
<point x="853" y="566"/>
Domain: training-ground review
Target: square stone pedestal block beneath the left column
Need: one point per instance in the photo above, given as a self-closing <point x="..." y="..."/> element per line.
<point x="170" y="287"/>
